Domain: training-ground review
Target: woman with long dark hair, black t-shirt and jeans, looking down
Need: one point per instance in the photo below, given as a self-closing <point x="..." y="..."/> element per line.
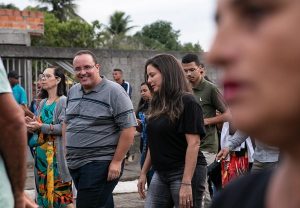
<point x="174" y="129"/>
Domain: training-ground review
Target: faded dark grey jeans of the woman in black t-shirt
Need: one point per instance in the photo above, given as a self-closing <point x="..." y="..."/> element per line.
<point x="165" y="186"/>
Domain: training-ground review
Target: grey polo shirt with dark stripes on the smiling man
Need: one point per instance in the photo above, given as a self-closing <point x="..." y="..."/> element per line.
<point x="94" y="122"/>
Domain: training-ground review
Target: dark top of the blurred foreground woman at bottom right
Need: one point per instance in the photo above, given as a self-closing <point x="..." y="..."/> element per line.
<point x="245" y="192"/>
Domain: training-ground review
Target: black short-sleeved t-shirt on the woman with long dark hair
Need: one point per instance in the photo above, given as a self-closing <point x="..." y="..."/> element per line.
<point x="167" y="141"/>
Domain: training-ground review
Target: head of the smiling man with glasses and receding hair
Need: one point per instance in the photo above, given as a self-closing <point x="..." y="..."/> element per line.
<point x="86" y="71"/>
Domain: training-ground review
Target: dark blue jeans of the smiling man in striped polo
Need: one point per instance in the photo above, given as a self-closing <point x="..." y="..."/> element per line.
<point x="93" y="189"/>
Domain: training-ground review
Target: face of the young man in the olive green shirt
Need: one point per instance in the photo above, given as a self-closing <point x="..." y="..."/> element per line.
<point x="193" y="72"/>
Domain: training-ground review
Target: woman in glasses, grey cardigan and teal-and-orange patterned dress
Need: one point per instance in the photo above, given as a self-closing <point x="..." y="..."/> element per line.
<point x="53" y="181"/>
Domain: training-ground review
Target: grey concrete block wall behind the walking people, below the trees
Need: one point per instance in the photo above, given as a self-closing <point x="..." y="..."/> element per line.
<point x="132" y="62"/>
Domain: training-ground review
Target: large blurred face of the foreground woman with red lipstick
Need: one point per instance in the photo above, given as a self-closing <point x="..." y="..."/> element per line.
<point x="258" y="47"/>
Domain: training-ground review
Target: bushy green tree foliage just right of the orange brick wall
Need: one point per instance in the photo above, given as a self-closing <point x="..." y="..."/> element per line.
<point x="72" y="33"/>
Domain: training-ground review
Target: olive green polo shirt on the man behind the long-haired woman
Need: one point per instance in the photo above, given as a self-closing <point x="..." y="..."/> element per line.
<point x="210" y="99"/>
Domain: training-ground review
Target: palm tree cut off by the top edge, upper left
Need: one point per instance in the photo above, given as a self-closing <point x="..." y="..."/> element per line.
<point x="63" y="9"/>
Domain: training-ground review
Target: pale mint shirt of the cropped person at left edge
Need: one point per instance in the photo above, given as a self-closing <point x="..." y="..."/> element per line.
<point x="6" y="196"/>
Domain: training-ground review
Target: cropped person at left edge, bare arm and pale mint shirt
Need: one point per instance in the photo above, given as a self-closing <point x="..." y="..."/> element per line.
<point x="12" y="149"/>
